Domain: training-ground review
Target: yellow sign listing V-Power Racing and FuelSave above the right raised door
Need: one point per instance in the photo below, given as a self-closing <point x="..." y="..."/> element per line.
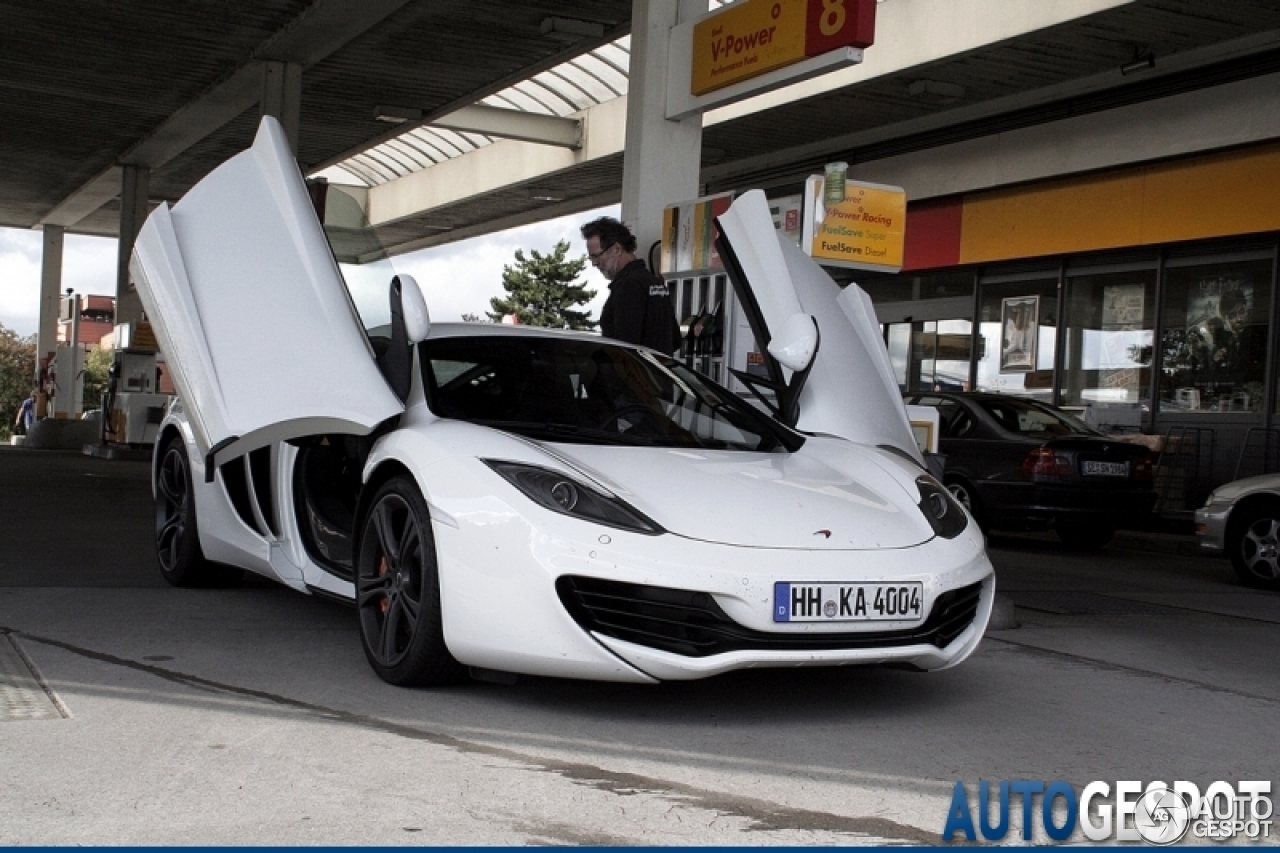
<point x="860" y="226"/>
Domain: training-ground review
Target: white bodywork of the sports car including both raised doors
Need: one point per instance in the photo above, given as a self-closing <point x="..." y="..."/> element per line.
<point x="734" y="523"/>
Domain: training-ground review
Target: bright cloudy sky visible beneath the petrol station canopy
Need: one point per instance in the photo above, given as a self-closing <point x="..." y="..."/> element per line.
<point x="458" y="280"/>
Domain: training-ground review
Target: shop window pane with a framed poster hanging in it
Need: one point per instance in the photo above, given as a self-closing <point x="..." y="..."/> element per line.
<point x="1018" y="329"/>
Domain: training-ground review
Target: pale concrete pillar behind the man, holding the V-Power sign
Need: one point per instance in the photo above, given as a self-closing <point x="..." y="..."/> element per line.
<point x="661" y="163"/>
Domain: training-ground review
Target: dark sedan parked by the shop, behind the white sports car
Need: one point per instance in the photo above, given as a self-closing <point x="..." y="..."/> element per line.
<point x="1021" y="466"/>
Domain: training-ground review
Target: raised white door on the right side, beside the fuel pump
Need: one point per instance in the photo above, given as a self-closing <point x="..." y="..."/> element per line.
<point x="848" y="387"/>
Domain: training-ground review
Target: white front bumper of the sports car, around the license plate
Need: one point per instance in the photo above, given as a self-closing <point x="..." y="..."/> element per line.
<point x="502" y="609"/>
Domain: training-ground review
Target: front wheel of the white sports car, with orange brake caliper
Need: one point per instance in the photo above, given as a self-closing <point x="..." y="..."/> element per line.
<point x="399" y="590"/>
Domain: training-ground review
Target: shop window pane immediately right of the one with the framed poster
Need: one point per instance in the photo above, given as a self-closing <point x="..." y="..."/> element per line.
<point x="1110" y="330"/>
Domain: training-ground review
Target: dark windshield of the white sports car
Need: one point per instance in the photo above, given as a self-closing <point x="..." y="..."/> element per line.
<point x="574" y="391"/>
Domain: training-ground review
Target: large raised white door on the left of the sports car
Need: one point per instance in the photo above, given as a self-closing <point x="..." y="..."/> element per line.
<point x="252" y="312"/>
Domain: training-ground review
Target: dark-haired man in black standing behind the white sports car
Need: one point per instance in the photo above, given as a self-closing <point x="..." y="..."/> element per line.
<point x="639" y="309"/>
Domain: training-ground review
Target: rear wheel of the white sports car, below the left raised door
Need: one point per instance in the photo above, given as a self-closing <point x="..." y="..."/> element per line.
<point x="182" y="562"/>
